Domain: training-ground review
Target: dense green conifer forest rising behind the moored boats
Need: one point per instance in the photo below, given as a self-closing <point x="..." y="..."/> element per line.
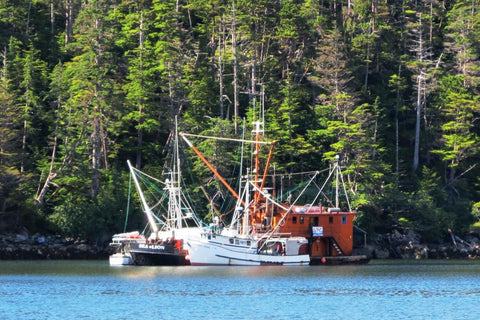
<point x="391" y="87"/>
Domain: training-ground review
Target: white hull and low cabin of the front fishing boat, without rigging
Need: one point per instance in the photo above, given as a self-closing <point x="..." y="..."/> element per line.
<point x="219" y="251"/>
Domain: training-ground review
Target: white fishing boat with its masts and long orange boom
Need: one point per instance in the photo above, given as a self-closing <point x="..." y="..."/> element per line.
<point x="244" y="241"/>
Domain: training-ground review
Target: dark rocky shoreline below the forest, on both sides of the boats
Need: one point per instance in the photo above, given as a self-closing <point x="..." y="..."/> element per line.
<point x="399" y="244"/>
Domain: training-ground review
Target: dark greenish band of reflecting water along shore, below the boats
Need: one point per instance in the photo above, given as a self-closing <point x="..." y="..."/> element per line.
<point x="411" y="268"/>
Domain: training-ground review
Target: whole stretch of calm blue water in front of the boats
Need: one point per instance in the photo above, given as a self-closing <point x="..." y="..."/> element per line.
<point x="94" y="290"/>
